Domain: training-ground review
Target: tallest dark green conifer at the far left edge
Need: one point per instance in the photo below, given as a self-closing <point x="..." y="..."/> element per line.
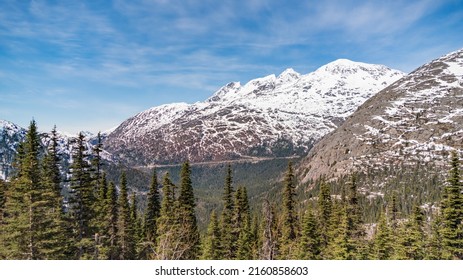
<point x="23" y="206"/>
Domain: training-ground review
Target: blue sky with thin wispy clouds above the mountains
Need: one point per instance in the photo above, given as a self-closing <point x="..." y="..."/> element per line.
<point x="89" y="65"/>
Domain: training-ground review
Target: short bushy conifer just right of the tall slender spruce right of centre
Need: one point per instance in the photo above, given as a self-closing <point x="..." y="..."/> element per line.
<point x="309" y="245"/>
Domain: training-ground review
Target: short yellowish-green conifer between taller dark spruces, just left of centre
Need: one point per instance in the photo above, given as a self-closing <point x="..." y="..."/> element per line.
<point x="212" y="248"/>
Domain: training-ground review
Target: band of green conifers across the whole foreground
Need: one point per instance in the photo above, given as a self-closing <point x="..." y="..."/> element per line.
<point x="95" y="218"/>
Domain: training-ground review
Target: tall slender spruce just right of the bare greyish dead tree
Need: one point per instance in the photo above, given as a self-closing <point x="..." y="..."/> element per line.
<point x="289" y="215"/>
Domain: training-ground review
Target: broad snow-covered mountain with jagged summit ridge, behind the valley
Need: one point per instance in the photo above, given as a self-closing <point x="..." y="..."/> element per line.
<point x="272" y="116"/>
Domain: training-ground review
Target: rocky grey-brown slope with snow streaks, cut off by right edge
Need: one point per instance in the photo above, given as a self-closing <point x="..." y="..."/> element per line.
<point x="418" y="119"/>
